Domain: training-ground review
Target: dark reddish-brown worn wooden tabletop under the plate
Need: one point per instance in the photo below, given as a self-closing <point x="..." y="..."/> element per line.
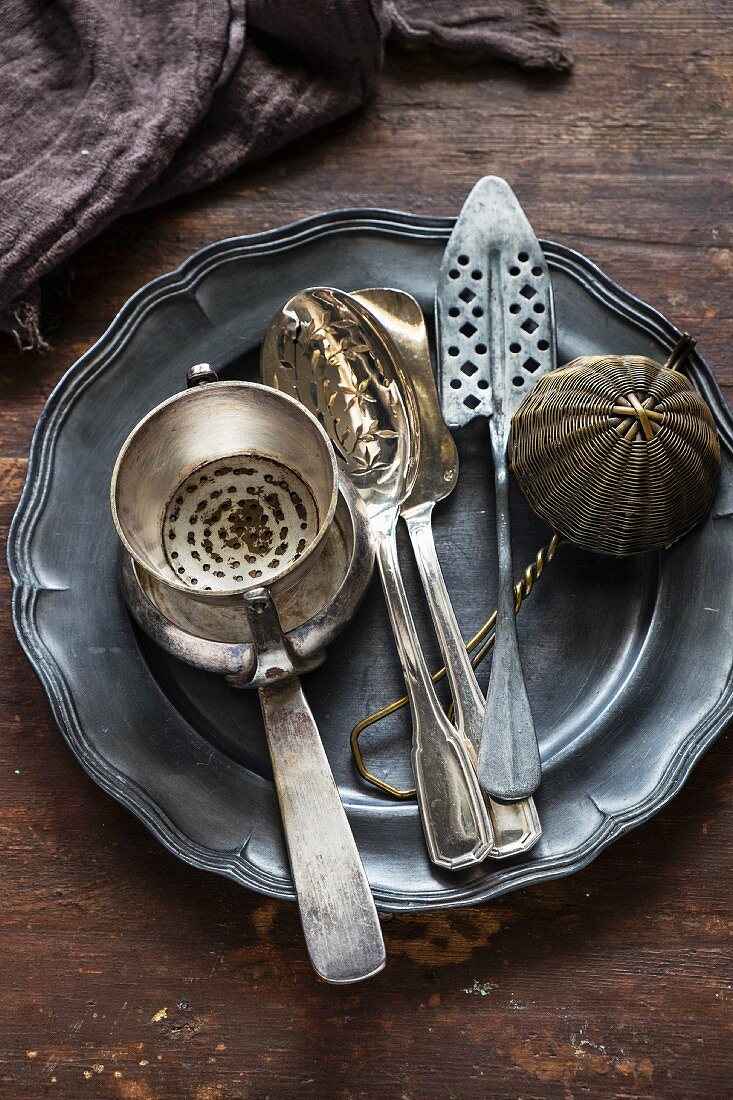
<point x="128" y="975"/>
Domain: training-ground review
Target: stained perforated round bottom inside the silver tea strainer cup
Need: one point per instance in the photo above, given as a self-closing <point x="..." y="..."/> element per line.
<point x="236" y="521"/>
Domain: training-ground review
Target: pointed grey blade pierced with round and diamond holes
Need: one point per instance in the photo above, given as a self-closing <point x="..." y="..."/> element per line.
<point x="494" y="309"/>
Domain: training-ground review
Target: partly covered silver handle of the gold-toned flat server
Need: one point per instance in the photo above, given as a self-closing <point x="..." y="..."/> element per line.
<point x="516" y="826"/>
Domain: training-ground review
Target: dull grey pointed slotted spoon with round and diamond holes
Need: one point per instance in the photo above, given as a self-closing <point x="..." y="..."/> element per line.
<point x="497" y="337"/>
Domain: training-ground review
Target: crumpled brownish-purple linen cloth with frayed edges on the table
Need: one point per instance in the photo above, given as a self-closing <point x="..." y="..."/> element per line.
<point x="107" y="106"/>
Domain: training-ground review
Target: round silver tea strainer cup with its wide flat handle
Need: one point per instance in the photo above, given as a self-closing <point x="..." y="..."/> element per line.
<point x="207" y="503"/>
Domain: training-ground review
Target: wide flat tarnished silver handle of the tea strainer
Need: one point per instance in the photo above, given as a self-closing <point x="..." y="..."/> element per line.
<point x="337" y="909"/>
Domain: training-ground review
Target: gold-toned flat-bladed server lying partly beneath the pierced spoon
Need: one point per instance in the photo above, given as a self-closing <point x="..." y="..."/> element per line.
<point x="516" y="826"/>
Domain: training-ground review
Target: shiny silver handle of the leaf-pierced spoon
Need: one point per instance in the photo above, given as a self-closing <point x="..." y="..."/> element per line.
<point x="457" y="828"/>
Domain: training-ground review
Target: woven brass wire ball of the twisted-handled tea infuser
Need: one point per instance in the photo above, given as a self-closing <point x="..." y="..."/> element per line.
<point x="618" y="454"/>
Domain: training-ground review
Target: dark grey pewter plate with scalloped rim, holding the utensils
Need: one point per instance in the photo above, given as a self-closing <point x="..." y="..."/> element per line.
<point x="628" y="664"/>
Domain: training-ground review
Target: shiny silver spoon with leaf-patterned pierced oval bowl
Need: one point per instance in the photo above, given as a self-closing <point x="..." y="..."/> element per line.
<point x="321" y="349"/>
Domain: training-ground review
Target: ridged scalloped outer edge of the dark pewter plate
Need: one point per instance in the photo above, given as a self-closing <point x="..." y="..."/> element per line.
<point x="27" y="586"/>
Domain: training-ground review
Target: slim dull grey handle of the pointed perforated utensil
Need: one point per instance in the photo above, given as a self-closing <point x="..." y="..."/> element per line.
<point x="509" y="758"/>
